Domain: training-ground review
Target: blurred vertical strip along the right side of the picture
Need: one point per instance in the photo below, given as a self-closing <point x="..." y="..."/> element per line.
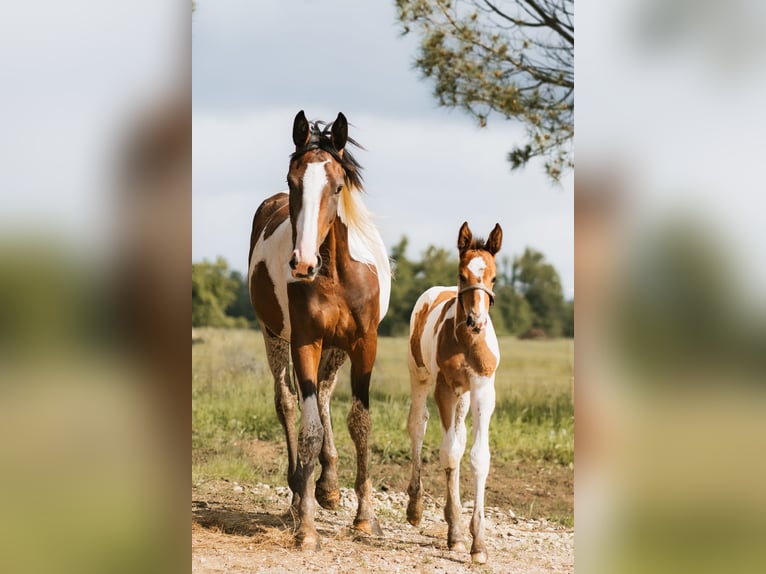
<point x="670" y="278"/>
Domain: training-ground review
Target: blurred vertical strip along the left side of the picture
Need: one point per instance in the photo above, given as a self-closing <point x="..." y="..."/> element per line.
<point x="95" y="227"/>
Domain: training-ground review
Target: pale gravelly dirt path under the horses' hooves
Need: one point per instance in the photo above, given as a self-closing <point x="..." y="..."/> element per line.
<point x="243" y="528"/>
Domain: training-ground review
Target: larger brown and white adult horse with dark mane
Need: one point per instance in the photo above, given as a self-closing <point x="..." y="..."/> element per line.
<point x="320" y="282"/>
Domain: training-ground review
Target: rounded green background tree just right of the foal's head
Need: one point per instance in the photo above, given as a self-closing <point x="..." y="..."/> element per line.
<point x="539" y="283"/>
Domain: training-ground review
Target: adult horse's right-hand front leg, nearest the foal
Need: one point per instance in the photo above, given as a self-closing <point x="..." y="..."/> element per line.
<point x="359" y="425"/>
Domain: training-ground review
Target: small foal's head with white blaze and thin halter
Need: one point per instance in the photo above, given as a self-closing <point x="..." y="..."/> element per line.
<point x="477" y="273"/>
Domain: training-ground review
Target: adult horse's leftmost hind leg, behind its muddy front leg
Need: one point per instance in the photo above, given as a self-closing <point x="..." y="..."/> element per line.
<point x="278" y="353"/>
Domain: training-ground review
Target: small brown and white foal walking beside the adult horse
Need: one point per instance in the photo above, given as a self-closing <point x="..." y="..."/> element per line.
<point x="453" y="348"/>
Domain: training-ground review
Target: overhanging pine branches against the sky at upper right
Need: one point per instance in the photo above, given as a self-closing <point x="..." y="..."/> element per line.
<point x="513" y="58"/>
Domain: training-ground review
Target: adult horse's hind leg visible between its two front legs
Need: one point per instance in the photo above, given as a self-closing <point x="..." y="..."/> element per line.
<point x="327" y="489"/>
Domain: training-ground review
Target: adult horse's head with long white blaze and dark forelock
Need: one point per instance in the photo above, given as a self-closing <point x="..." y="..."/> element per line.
<point x="320" y="169"/>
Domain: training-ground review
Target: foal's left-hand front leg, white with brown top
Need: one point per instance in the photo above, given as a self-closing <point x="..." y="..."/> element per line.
<point x="452" y="411"/>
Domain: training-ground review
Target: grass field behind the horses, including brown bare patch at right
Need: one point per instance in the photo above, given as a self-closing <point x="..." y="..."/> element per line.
<point x="236" y="435"/>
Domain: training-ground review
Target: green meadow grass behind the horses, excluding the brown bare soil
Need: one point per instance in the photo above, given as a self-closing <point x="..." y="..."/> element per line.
<point x="232" y="403"/>
